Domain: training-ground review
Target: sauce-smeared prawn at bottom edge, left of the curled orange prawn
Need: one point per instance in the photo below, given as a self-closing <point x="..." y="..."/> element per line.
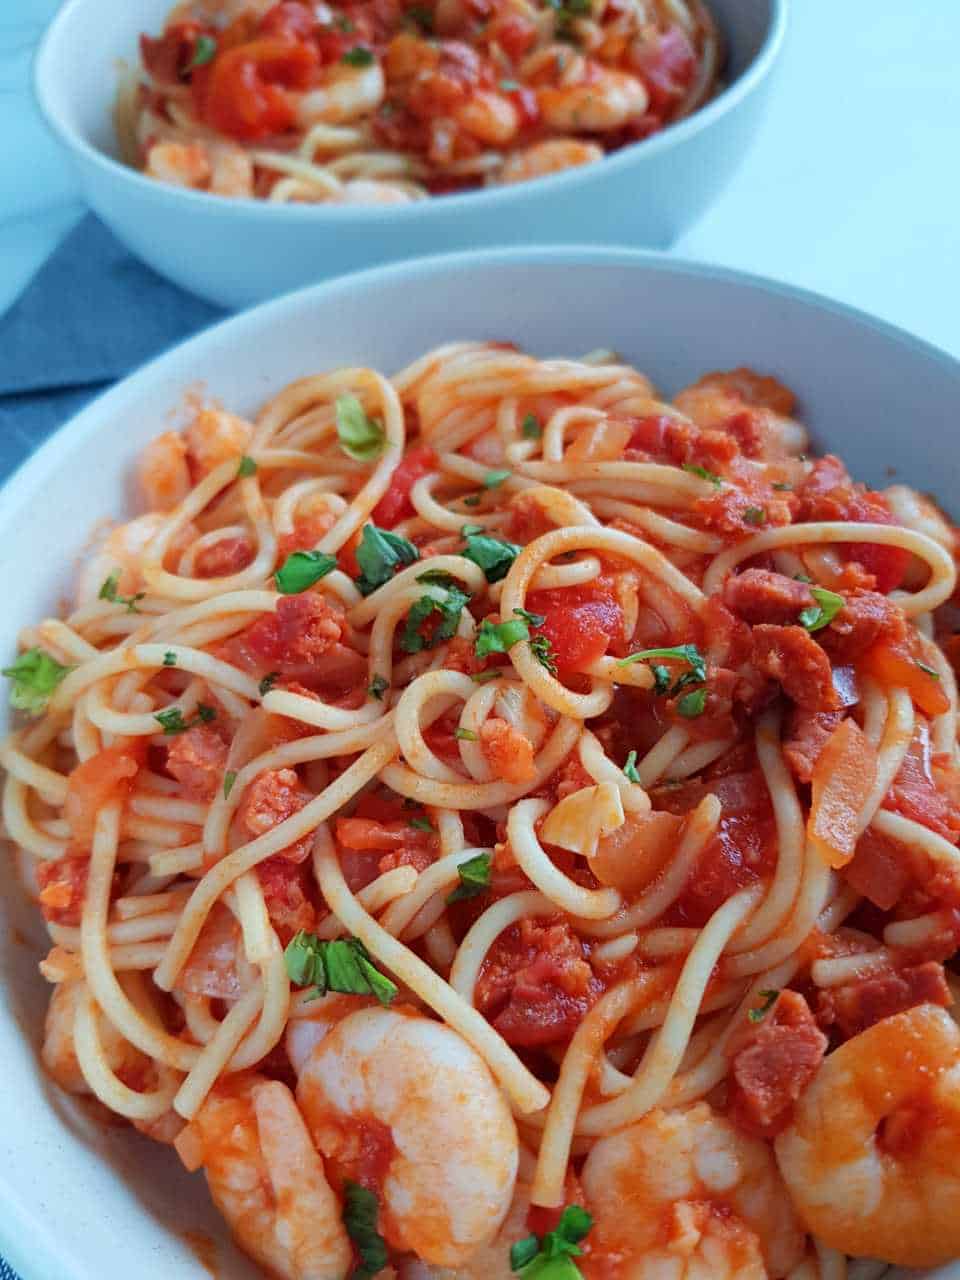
<point x="687" y="1195"/>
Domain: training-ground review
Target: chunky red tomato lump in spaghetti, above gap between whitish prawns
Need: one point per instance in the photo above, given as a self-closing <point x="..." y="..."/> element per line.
<point x="536" y="984"/>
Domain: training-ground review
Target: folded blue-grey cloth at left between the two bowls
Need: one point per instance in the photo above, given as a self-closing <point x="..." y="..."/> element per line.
<point x="92" y="316"/>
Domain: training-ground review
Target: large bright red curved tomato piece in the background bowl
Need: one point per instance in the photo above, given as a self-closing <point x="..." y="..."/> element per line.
<point x="245" y="94"/>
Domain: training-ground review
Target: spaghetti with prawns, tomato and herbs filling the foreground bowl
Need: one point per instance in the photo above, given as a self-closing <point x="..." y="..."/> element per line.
<point x="497" y="822"/>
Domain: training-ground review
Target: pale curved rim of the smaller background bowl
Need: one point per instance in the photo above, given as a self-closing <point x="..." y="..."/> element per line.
<point x="675" y="135"/>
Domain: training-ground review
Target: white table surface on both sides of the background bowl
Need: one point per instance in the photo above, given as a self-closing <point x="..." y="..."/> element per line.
<point x="853" y="189"/>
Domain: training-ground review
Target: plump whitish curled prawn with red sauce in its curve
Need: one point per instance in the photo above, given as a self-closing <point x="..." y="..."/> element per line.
<point x="447" y="1142"/>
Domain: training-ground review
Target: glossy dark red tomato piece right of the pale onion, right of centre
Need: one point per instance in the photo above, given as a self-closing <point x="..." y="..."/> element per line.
<point x="744" y="848"/>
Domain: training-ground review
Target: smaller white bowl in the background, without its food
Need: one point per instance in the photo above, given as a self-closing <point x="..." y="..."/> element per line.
<point x="241" y="252"/>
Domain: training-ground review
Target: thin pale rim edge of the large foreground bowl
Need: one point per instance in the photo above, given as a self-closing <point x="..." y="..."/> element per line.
<point x="25" y="1240"/>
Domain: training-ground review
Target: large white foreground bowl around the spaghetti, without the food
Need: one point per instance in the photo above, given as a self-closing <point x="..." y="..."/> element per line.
<point x="88" y="1205"/>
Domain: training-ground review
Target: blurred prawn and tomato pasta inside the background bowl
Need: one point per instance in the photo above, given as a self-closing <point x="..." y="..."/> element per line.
<point x="386" y="102"/>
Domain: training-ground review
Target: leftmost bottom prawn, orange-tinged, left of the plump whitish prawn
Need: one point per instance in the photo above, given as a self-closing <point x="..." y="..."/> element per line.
<point x="267" y="1180"/>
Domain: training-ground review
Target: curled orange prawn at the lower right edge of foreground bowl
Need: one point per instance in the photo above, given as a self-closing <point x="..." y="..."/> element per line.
<point x="871" y="1156"/>
